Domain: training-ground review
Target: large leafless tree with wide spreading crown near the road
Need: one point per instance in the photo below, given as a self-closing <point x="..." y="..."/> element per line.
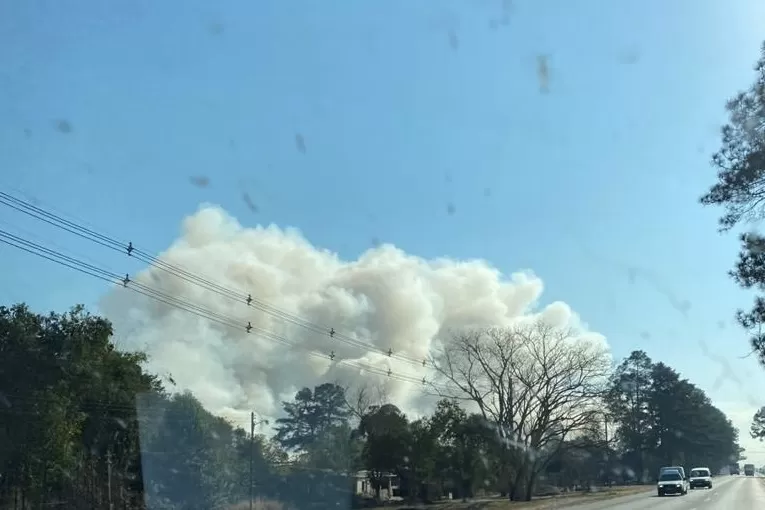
<point x="536" y="383"/>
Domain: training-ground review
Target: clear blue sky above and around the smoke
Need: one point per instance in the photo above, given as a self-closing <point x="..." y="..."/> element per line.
<point x="423" y="125"/>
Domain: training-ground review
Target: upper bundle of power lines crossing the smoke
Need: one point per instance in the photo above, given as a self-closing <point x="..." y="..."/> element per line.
<point x="131" y="250"/>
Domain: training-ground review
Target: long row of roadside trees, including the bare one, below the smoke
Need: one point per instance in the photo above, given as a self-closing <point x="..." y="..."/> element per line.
<point x="520" y="412"/>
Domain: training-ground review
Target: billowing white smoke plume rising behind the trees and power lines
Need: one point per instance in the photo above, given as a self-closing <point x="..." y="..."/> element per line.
<point x="387" y="298"/>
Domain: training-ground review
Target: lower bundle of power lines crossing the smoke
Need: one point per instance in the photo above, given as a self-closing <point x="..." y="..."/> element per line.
<point x="182" y="304"/>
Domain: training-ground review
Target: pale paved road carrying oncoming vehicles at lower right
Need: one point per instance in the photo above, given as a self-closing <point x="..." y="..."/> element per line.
<point x="728" y="493"/>
